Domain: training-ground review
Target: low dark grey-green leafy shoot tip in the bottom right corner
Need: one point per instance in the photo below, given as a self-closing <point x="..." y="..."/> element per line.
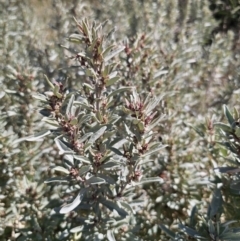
<point x="206" y="226"/>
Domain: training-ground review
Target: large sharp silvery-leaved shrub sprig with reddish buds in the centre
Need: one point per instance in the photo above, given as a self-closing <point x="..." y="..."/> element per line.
<point x="105" y="134"/>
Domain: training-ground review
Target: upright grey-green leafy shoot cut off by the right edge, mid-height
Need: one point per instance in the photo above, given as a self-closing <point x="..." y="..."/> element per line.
<point x="228" y="172"/>
